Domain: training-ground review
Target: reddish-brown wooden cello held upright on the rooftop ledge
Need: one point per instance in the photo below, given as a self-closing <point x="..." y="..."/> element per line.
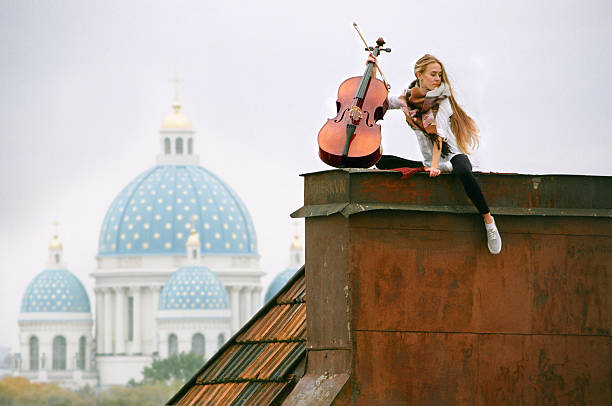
<point x="352" y="139"/>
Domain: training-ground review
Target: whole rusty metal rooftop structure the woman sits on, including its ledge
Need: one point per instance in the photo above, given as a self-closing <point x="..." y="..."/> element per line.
<point x="429" y="317"/>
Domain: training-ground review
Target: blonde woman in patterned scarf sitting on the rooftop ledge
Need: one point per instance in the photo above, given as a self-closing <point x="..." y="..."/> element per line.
<point x="445" y="134"/>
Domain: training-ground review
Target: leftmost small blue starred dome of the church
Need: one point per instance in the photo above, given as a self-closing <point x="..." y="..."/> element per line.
<point x="55" y="290"/>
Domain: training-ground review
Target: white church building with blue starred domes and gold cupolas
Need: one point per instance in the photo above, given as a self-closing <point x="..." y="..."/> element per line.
<point x="177" y="271"/>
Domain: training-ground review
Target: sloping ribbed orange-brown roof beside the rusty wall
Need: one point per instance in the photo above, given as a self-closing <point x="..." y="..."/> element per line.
<point x="257" y="366"/>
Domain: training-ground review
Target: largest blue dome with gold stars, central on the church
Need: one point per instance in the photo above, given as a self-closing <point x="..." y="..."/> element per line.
<point x="154" y="214"/>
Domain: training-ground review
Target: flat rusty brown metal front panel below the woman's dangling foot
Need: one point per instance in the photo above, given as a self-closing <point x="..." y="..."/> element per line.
<point x="436" y="319"/>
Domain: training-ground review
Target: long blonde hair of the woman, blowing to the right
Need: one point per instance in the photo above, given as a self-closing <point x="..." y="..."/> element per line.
<point x="465" y="129"/>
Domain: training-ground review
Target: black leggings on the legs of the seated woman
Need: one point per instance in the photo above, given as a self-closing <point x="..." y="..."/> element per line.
<point x="461" y="167"/>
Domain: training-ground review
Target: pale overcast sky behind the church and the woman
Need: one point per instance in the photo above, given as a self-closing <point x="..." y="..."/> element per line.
<point x="85" y="86"/>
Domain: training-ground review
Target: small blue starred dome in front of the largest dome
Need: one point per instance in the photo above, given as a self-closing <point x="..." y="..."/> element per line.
<point x="193" y="287"/>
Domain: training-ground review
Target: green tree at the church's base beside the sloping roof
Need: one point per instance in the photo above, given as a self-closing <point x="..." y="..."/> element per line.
<point x="179" y="367"/>
